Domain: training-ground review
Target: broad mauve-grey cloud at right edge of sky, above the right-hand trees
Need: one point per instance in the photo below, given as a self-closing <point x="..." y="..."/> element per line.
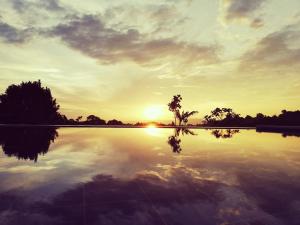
<point x="276" y="50"/>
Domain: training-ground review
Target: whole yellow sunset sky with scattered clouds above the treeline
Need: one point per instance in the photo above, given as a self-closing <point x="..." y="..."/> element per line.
<point x="126" y="59"/>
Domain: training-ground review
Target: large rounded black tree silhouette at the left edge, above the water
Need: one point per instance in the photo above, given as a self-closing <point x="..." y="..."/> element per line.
<point x="28" y="102"/>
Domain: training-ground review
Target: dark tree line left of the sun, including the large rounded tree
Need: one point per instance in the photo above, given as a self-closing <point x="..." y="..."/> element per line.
<point x="31" y="103"/>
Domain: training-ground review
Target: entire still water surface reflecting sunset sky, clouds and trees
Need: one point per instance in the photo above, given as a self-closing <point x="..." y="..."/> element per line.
<point x="148" y="176"/>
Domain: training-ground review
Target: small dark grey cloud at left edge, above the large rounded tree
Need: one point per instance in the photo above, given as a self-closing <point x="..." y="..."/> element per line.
<point x="10" y="34"/>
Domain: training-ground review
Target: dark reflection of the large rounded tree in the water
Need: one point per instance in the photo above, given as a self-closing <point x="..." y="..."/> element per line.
<point x="27" y="143"/>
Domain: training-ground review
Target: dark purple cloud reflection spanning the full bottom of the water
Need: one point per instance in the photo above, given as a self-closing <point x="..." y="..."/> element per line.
<point x="153" y="198"/>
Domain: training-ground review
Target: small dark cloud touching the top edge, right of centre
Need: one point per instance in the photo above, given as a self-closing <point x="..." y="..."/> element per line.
<point x="239" y="9"/>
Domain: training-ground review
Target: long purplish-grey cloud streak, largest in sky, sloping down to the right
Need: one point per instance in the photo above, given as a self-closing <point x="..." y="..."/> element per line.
<point x="89" y="35"/>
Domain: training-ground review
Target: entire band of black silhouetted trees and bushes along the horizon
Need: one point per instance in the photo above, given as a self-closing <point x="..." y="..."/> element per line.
<point x="31" y="103"/>
